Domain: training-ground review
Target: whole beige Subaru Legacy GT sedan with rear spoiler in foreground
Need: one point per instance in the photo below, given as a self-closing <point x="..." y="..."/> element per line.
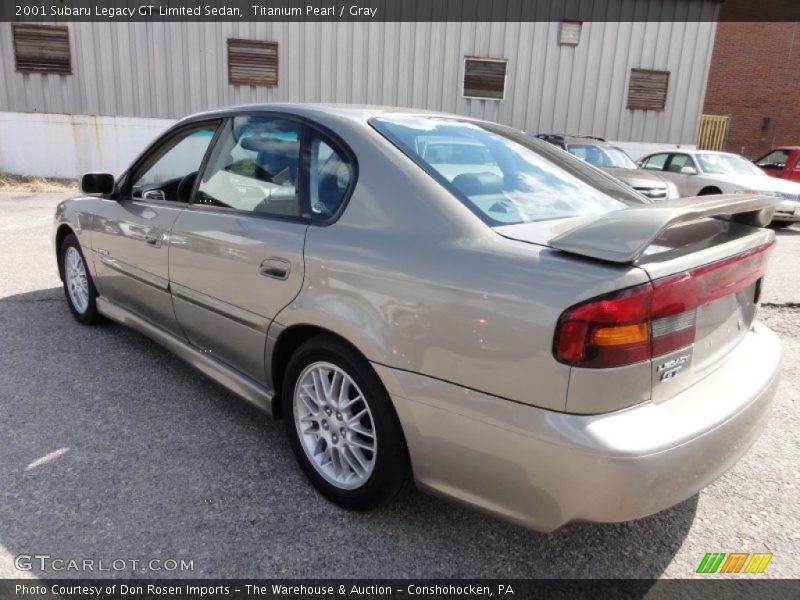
<point x="510" y="327"/>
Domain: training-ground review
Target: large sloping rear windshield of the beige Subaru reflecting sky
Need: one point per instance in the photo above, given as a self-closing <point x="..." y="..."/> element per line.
<point x="502" y="175"/>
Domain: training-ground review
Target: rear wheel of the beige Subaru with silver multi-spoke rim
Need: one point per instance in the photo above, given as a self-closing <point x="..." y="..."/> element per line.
<point x="342" y="426"/>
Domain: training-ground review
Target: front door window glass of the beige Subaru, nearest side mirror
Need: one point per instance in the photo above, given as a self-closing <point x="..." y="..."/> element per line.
<point x="171" y="172"/>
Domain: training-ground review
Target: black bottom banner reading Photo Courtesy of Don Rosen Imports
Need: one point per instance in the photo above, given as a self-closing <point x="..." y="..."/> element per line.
<point x="741" y="587"/>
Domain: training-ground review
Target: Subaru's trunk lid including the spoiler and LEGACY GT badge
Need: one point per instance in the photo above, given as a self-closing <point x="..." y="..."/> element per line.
<point x="719" y="243"/>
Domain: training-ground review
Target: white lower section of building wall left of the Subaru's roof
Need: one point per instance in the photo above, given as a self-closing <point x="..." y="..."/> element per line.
<point x="58" y="145"/>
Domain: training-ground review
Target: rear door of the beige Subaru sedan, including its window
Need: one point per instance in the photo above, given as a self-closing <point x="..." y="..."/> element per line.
<point x="236" y="255"/>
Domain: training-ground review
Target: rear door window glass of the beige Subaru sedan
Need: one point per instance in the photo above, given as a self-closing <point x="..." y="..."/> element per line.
<point x="254" y="167"/>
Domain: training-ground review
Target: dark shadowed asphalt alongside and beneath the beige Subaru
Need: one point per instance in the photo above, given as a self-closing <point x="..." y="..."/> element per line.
<point x="114" y="449"/>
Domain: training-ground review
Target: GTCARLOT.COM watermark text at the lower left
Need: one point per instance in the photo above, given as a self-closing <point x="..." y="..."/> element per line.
<point x="46" y="562"/>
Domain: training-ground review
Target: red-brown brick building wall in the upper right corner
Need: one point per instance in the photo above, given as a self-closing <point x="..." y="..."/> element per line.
<point x="754" y="76"/>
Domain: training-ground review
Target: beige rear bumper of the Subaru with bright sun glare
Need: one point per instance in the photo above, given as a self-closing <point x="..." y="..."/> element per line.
<point x="542" y="469"/>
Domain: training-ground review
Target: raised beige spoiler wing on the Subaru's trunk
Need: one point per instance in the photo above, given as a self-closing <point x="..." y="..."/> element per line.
<point x="623" y="236"/>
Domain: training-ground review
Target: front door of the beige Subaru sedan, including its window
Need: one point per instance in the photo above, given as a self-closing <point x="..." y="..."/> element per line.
<point x="131" y="234"/>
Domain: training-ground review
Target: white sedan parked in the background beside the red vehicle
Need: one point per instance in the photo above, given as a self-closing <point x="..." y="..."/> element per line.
<point x="703" y="172"/>
